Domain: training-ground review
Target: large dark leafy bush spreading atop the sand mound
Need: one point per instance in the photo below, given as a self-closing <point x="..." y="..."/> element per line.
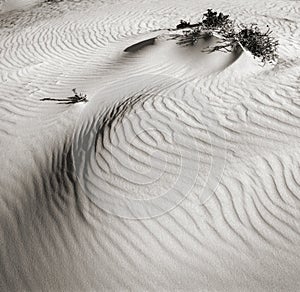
<point x="260" y="44"/>
